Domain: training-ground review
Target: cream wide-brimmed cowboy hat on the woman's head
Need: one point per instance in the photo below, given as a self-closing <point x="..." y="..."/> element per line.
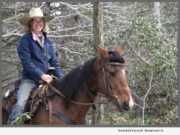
<point x="34" y="12"/>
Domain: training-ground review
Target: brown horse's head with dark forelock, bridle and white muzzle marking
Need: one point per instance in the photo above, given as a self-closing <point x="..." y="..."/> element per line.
<point x="112" y="80"/>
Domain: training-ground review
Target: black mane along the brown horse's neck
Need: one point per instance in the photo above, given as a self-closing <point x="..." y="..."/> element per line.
<point x="71" y="83"/>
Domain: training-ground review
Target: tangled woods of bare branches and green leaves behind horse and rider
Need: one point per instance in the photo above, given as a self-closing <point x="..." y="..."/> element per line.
<point x="147" y="31"/>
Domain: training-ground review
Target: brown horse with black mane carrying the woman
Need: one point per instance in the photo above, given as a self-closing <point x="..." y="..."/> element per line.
<point x="77" y="91"/>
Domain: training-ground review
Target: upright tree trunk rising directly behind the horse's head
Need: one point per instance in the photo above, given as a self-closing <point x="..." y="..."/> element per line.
<point x="98" y="42"/>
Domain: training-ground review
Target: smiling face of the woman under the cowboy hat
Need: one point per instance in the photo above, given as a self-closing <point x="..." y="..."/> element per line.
<point x="37" y="24"/>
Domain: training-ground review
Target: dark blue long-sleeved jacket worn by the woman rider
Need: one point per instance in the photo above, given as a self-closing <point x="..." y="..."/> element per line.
<point x="36" y="59"/>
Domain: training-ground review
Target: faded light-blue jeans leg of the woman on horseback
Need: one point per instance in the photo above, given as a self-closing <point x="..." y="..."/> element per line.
<point x="23" y="93"/>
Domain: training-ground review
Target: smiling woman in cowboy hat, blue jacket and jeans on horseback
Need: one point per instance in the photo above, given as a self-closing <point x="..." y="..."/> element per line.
<point x="37" y="58"/>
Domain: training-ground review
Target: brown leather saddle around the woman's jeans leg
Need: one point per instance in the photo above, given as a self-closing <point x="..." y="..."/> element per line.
<point x="39" y="96"/>
